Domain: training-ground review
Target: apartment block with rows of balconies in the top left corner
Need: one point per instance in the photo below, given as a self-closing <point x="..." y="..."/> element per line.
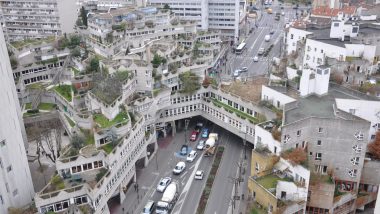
<point x="29" y="19"/>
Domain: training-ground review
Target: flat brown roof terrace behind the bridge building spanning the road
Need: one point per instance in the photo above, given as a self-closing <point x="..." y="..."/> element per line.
<point x="249" y="90"/>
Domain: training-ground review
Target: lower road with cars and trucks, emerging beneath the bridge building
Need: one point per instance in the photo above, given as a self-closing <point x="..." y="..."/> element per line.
<point x="190" y="189"/>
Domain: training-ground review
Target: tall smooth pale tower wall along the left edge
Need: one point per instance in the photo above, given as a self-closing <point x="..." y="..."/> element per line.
<point x="16" y="187"/>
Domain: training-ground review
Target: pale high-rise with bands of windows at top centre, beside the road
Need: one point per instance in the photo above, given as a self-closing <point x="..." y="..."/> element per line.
<point x="224" y="16"/>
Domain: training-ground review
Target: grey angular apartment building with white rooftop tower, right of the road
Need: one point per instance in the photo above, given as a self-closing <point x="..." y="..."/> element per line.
<point x="320" y="120"/>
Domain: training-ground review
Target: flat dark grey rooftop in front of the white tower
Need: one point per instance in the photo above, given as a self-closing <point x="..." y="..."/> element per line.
<point x="323" y="107"/>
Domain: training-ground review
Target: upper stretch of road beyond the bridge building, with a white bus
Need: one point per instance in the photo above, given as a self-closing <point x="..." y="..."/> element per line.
<point x="254" y="41"/>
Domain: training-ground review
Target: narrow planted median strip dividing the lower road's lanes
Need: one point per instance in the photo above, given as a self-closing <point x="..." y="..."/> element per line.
<point x="210" y="180"/>
